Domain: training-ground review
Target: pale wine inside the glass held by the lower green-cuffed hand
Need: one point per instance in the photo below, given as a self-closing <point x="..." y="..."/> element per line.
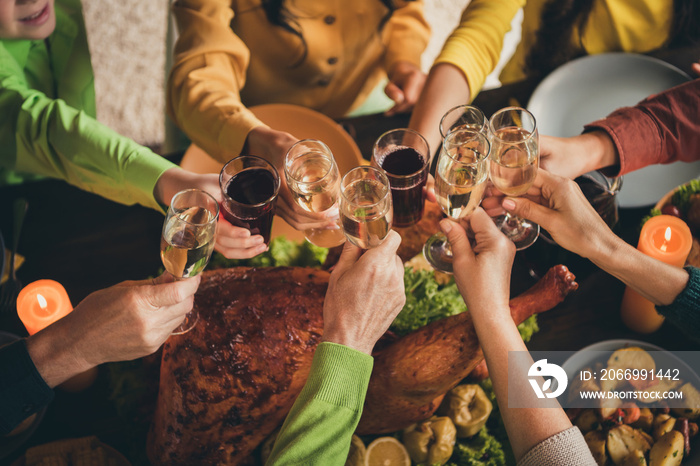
<point x="366" y="217"/>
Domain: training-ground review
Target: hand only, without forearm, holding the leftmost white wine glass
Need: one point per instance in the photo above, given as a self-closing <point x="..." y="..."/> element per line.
<point x="129" y="320"/>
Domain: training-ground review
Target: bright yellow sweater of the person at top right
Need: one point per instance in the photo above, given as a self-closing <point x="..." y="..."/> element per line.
<point x="613" y="26"/>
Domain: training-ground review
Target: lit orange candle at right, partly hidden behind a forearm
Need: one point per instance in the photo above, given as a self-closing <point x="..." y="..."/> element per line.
<point x="668" y="239"/>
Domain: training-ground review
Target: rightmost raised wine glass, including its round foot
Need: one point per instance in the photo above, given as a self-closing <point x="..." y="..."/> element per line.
<point x="514" y="162"/>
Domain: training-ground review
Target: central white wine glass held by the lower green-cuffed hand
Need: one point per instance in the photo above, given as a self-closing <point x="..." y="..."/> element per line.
<point x="366" y="212"/>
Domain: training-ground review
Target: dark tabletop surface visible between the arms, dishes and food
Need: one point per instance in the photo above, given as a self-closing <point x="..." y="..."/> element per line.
<point x="87" y="243"/>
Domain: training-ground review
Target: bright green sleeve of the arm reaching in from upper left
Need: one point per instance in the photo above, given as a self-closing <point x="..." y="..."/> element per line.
<point x="48" y="137"/>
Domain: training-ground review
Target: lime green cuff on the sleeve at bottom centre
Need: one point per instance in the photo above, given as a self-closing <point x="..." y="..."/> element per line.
<point x="340" y="375"/>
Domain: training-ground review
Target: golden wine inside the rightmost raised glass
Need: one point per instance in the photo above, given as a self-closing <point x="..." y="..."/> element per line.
<point x="514" y="167"/>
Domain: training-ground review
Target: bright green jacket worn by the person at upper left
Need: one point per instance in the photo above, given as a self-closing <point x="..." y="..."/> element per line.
<point x="48" y="125"/>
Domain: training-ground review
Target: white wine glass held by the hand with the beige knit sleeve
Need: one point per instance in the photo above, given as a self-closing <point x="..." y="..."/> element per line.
<point x="460" y="181"/>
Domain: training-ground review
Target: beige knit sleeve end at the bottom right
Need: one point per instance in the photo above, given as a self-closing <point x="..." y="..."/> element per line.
<point x="567" y="448"/>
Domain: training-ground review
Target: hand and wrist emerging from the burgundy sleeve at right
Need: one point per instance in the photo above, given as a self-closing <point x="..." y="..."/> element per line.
<point x="574" y="156"/>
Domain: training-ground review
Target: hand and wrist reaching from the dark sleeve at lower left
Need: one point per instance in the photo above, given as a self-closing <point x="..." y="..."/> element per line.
<point x="123" y="322"/>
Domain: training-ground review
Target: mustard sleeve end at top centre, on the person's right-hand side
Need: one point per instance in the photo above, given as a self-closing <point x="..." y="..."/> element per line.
<point x="409" y="35"/>
